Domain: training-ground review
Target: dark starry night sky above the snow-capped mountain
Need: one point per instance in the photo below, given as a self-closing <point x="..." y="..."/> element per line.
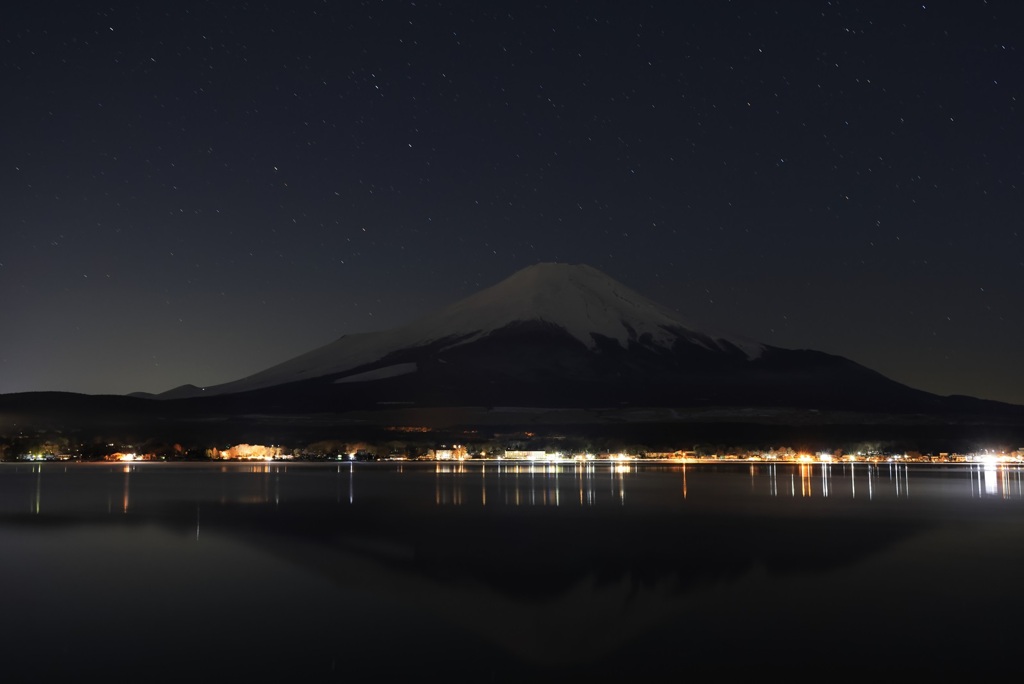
<point x="193" y="192"/>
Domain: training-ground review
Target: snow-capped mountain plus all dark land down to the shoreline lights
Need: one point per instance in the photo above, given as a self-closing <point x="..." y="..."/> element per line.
<point x="554" y="349"/>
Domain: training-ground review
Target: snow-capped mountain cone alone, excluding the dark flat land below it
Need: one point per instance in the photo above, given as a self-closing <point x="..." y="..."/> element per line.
<point x="557" y="335"/>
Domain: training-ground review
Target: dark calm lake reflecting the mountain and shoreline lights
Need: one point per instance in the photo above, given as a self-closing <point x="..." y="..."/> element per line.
<point x="488" y="572"/>
